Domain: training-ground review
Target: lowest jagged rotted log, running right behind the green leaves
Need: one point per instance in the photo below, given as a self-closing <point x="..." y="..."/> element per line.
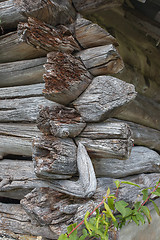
<point x="68" y="210"/>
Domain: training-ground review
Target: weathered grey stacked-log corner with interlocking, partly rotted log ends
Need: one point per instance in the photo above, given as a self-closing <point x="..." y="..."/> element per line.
<point x="78" y="149"/>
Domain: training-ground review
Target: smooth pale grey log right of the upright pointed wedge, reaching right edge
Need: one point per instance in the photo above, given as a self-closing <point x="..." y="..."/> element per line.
<point x="141" y="160"/>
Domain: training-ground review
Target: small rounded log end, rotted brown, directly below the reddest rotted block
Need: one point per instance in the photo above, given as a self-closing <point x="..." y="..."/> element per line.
<point x="60" y="121"/>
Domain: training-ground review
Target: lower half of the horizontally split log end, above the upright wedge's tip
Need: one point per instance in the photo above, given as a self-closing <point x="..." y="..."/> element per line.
<point x="107" y="148"/>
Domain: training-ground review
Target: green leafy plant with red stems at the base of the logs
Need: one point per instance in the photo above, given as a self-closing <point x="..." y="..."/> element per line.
<point x="114" y="216"/>
